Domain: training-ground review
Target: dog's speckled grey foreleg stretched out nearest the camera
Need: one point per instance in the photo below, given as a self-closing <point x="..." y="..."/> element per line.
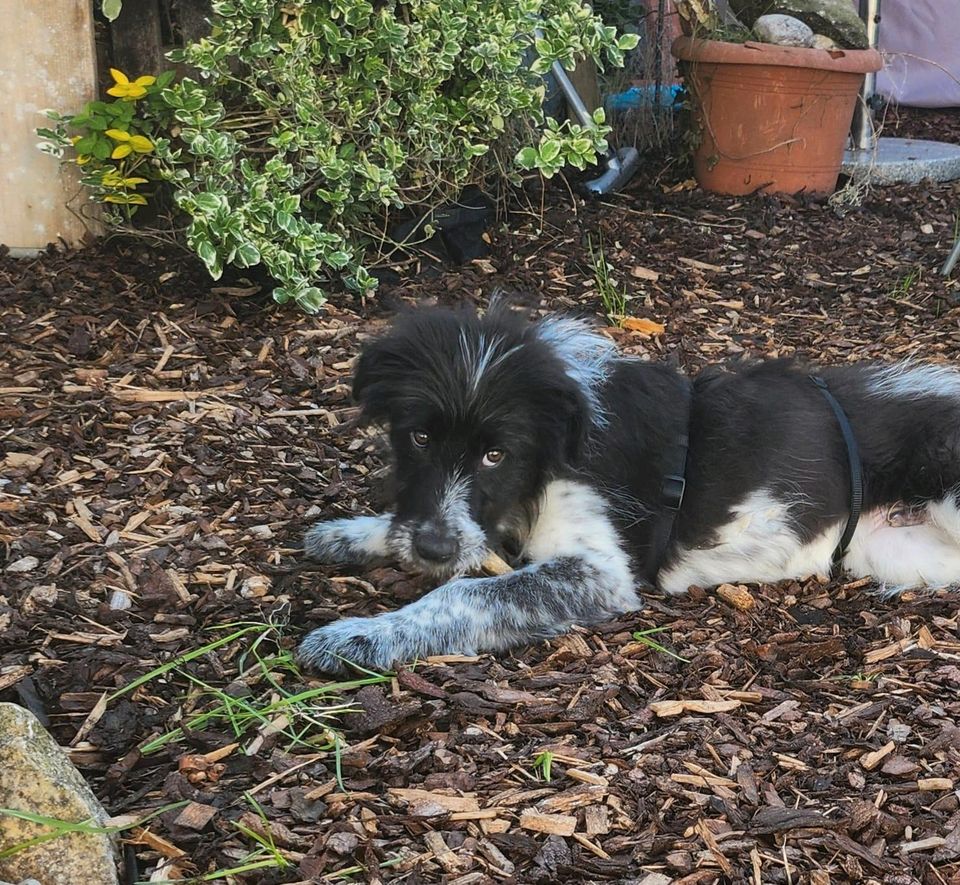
<point x="471" y="615"/>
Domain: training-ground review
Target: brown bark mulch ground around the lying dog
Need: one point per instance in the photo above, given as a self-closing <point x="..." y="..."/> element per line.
<point x="165" y="442"/>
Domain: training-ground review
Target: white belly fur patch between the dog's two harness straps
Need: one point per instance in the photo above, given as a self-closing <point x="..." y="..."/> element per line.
<point x="759" y="544"/>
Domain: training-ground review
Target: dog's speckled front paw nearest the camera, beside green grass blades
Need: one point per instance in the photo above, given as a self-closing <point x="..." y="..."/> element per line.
<point x="365" y="642"/>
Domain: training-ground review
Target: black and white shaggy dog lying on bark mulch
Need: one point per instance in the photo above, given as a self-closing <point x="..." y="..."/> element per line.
<point x="542" y="443"/>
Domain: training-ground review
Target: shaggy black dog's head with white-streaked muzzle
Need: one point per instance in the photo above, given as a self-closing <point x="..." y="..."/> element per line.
<point x="482" y="412"/>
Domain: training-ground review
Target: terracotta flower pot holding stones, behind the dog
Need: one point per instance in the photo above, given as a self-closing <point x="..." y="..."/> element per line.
<point x="772" y="118"/>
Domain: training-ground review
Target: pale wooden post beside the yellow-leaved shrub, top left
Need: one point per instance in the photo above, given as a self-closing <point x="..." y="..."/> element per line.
<point x="47" y="60"/>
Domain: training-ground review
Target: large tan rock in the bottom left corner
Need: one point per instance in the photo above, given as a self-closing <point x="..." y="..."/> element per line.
<point x="35" y="776"/>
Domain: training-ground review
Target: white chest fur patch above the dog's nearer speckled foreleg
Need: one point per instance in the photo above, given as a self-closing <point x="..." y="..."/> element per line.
<point x="574" y="520"/>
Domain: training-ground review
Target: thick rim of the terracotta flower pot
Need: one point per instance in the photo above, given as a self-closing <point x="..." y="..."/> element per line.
<point x="852" y="61"/>
